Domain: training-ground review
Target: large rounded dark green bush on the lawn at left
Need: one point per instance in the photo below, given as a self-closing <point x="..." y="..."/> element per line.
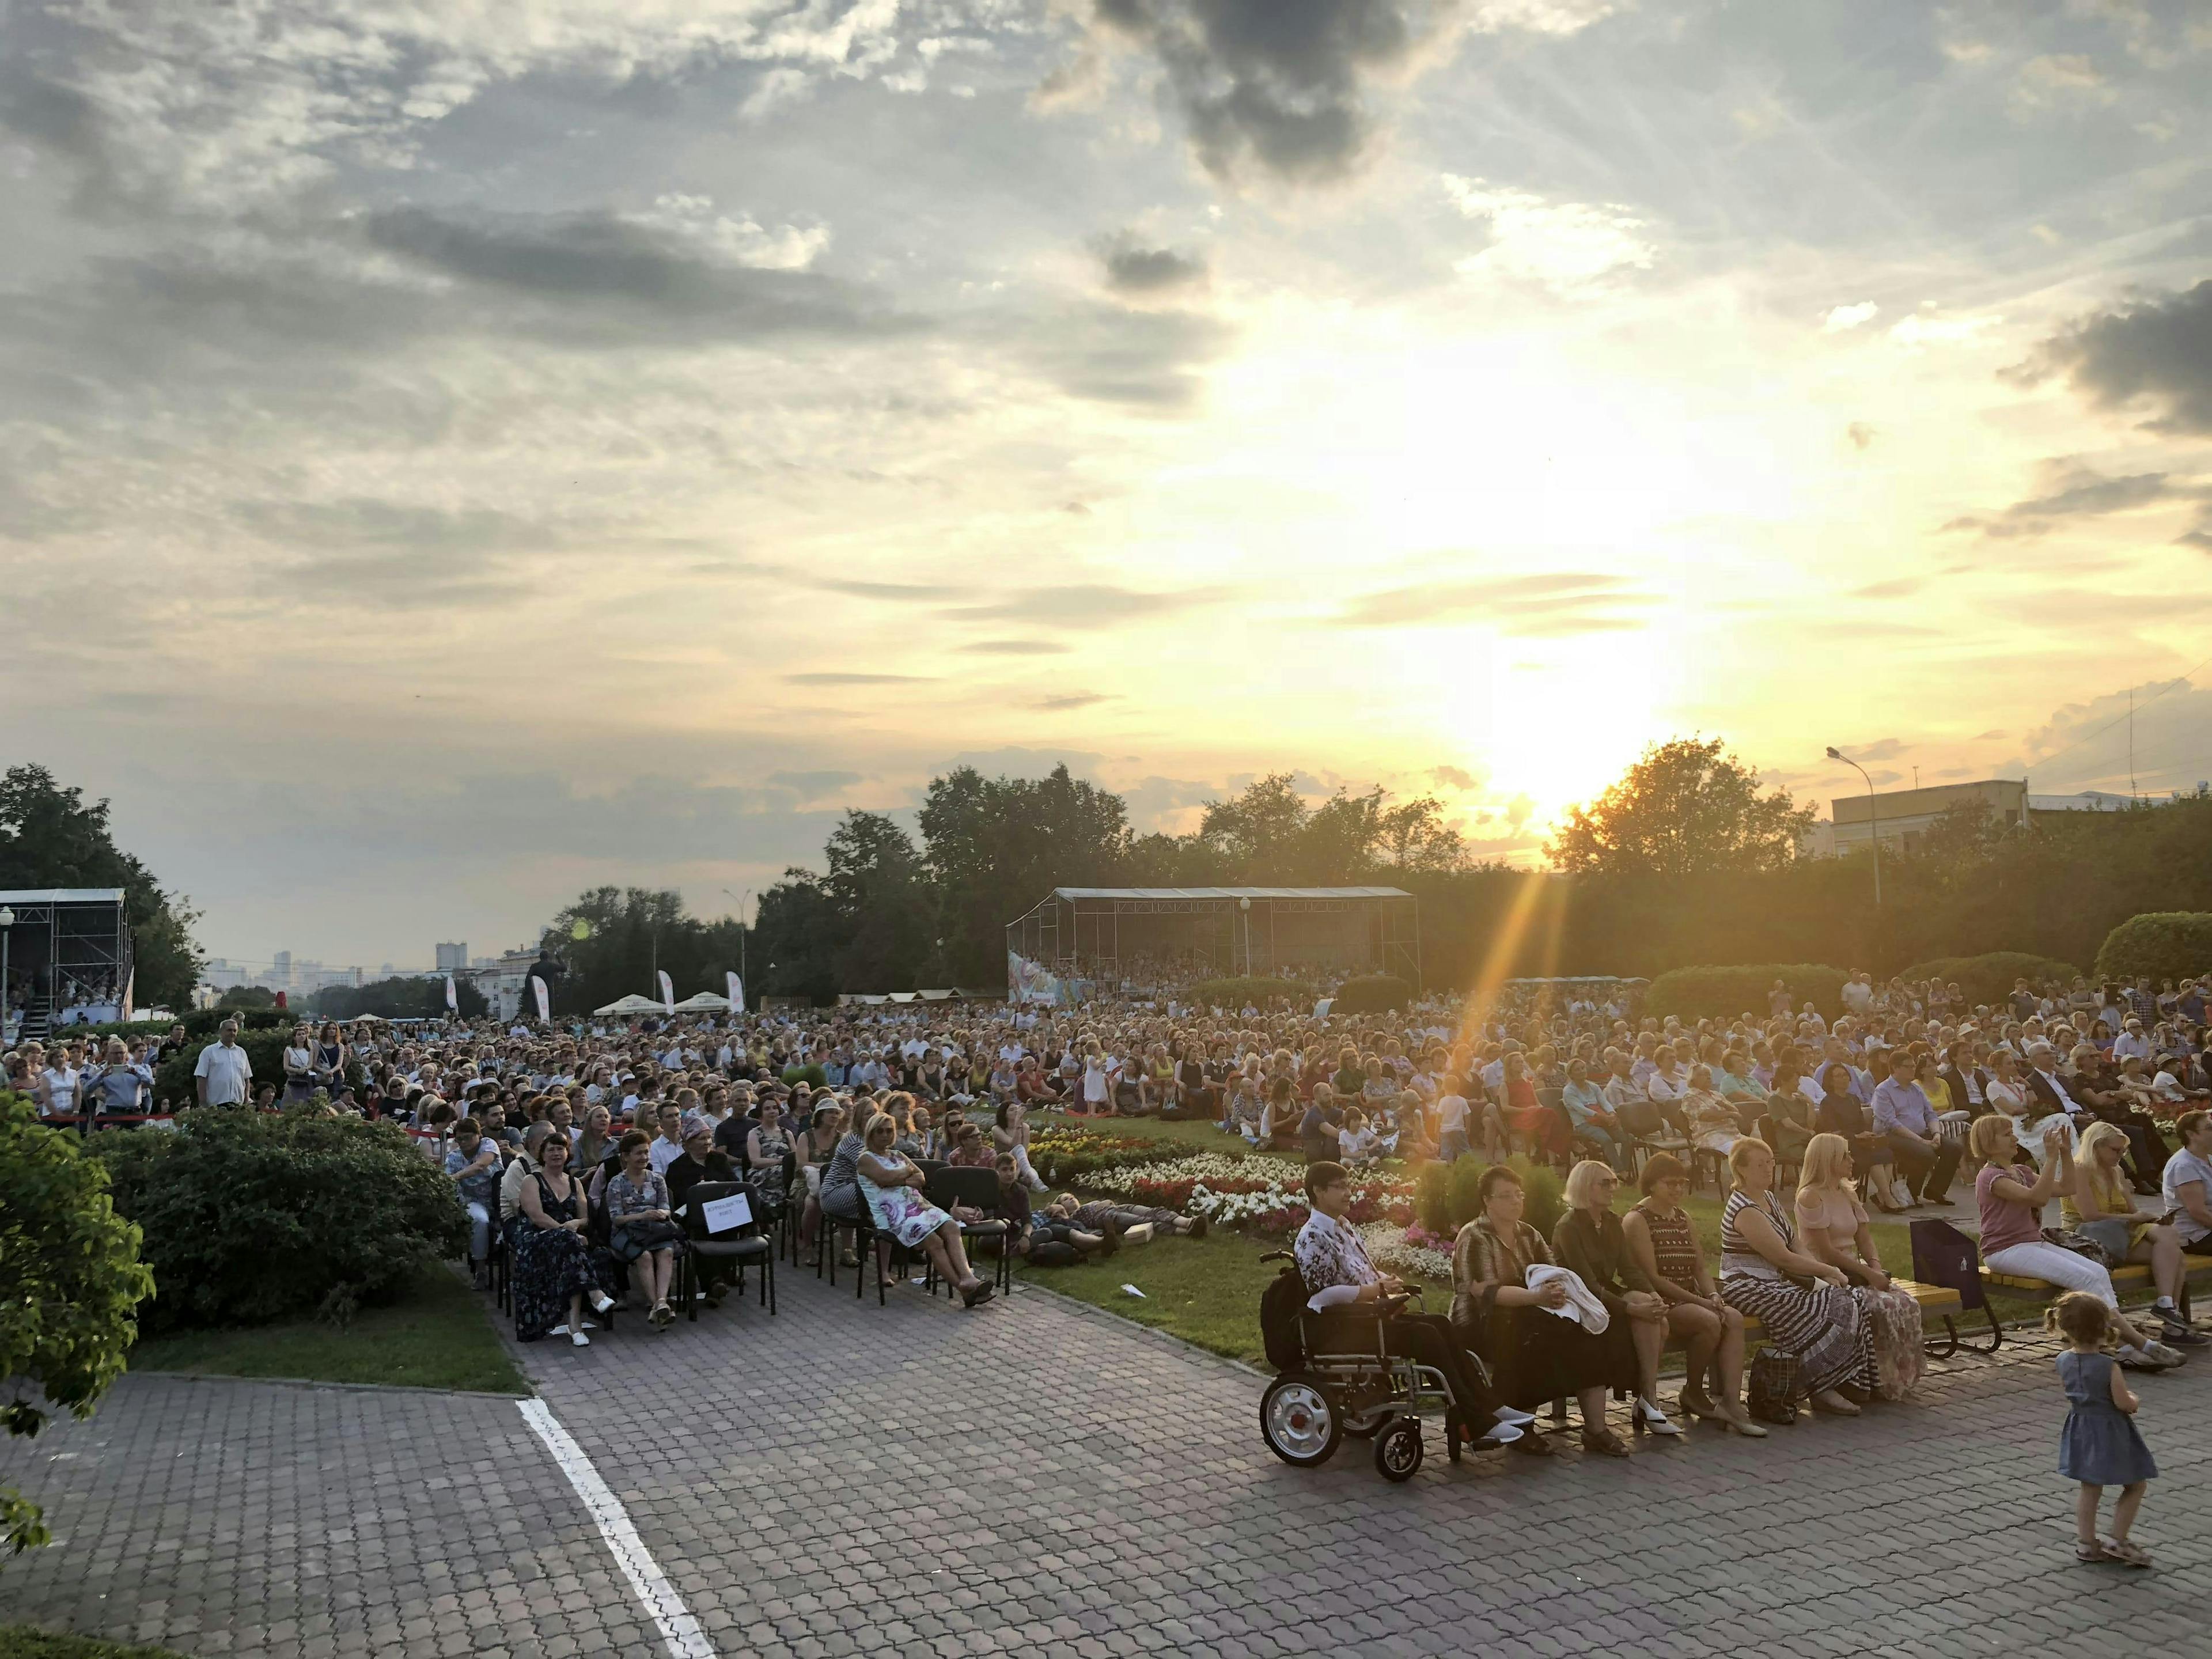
<point x="253" y="1218"/>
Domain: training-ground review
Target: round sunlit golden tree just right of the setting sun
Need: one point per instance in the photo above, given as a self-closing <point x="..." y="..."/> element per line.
<point x="1687" y="808"/>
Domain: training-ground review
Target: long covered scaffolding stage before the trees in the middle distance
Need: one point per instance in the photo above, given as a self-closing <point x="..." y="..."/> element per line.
<point x="1171" y="935"/>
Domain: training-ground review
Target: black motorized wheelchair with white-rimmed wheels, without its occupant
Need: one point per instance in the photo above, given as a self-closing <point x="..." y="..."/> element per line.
<point x="1344" y="1381"/>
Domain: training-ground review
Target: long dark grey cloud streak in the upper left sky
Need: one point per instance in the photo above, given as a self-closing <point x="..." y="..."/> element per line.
<point x="612" y="280"/>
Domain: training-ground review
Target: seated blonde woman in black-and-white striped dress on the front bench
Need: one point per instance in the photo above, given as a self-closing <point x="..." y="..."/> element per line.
<point x="1824" y="1326"/>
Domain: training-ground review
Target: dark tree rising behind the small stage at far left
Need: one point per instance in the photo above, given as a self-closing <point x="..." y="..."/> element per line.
<point x="52" y="839"/>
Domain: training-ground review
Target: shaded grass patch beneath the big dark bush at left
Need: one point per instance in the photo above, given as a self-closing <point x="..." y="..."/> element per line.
<point x="437" y="1337"/>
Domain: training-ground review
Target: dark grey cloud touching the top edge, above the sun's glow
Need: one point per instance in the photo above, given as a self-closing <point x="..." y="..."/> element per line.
<point x="1280" y="85"/>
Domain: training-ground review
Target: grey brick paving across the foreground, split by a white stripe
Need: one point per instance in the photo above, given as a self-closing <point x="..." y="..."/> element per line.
<point x="1039" y="1477"/>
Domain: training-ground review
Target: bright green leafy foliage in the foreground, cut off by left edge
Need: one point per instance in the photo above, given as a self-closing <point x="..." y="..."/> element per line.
<point x="70" y="1286"/>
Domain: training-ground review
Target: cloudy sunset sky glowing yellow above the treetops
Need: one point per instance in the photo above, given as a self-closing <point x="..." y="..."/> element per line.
<point x="461" y="455"/>
